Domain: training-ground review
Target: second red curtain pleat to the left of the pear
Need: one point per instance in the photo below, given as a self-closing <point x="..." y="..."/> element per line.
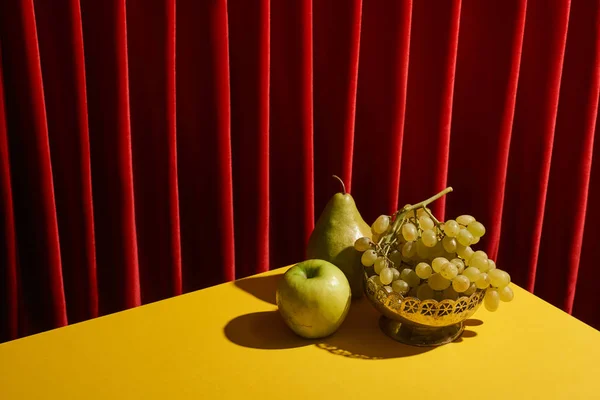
<point x="249" y="37"/>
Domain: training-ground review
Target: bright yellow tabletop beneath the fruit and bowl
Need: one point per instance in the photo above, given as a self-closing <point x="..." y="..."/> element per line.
<point x="228" y="342"/>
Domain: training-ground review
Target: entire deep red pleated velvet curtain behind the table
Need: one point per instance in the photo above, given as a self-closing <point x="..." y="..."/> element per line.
<point x="154" y="147"/>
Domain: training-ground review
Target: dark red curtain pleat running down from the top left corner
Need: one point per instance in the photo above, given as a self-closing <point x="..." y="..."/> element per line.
<point x="40" y="267"/>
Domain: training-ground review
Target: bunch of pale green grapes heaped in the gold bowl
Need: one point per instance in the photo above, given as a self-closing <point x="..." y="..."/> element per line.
<point x="415" y="255"/>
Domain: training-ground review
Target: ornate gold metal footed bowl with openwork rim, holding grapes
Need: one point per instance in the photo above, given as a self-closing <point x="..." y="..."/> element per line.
<point x="421" y="322"/>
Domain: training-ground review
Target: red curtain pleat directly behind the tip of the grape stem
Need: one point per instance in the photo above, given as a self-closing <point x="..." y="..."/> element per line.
<point x="431" y="75"/>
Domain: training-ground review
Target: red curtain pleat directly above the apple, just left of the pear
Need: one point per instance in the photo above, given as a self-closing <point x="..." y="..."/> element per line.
<point x="291" y="130"/>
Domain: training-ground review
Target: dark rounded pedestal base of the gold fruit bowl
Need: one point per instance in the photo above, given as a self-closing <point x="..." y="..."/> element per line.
<point x="416" y="335"/>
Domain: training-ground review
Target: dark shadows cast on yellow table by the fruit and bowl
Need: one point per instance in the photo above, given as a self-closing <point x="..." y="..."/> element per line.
<point x="359" y="336"/>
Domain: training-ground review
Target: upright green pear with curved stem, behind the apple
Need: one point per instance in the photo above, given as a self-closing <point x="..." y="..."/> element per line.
<point x="336" y="230"/>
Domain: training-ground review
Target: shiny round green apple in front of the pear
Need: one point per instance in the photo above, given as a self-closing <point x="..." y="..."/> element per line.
<point x="313" y="298"/>
